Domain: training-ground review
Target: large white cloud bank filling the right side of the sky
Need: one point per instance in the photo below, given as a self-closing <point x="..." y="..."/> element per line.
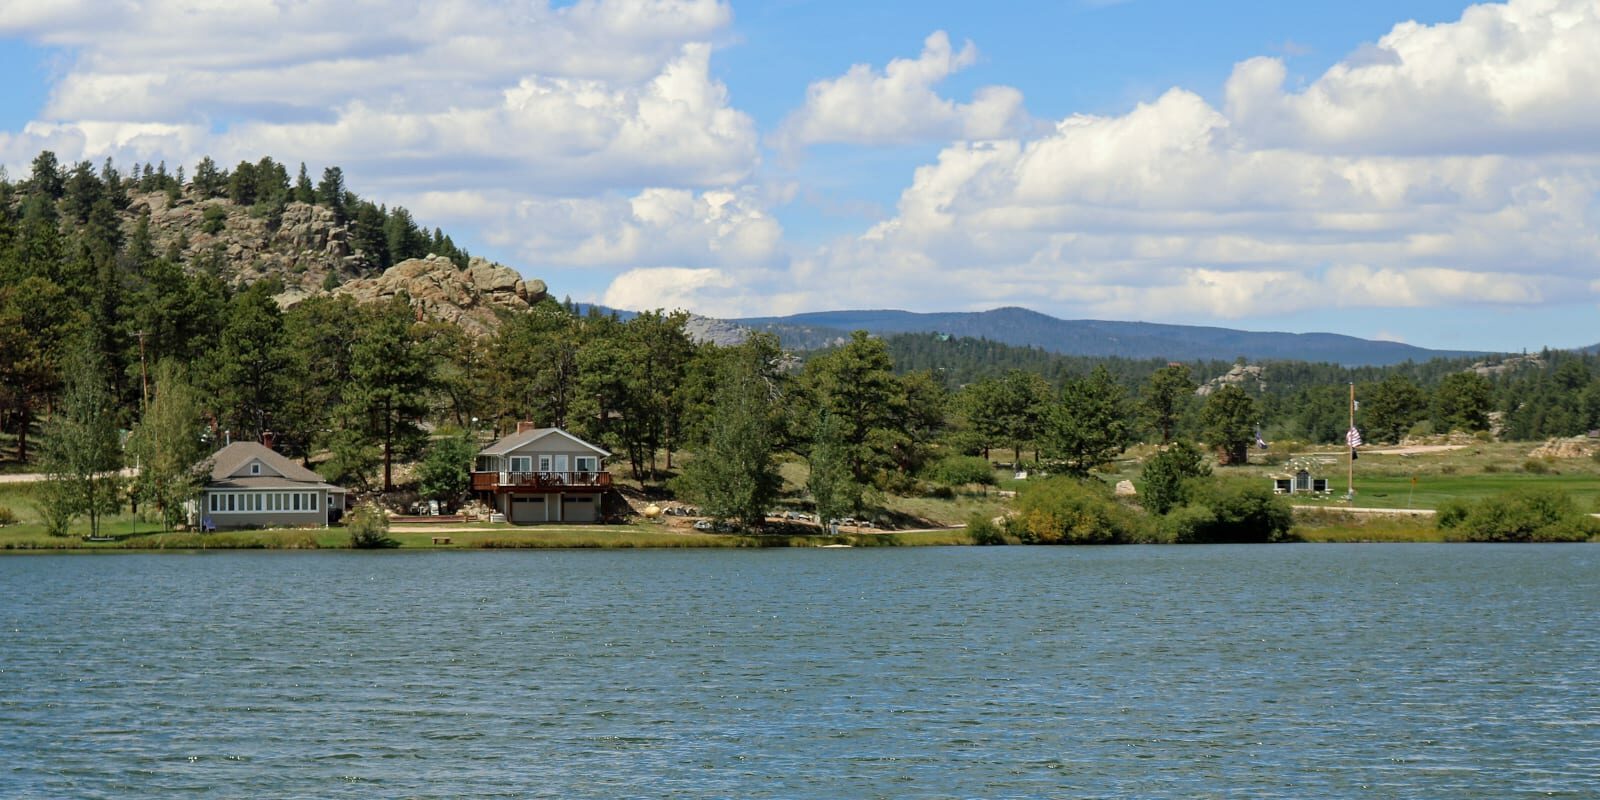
<point x="1346" y="194"/>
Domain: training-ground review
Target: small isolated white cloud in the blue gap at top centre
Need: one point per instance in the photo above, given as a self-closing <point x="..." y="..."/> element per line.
<point x="900" y="105"/>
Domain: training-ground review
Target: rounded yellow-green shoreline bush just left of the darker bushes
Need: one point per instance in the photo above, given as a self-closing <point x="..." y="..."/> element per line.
<point x="1066" y="511"/>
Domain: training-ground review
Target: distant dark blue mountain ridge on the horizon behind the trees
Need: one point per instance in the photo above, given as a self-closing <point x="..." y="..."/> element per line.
<point x="1129" y="340"/>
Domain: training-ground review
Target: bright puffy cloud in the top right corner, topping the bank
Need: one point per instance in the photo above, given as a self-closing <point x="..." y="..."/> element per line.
<point x="1506" y="79"/>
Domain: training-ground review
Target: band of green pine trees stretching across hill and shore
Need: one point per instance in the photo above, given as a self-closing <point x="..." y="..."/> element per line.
<point x="103" y="334"/>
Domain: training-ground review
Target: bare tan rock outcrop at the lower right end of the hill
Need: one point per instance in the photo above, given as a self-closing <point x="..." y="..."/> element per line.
<point x="438" y="290"/>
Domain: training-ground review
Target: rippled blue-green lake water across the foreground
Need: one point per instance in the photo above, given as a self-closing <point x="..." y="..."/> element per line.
<point x="1185" y="673"/>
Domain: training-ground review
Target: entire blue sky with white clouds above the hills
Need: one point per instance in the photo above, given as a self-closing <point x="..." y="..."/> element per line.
<point x="1412" y="170"/>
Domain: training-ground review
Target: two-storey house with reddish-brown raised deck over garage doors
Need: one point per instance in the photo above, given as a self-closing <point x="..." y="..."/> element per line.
<point x="542" y="474"/>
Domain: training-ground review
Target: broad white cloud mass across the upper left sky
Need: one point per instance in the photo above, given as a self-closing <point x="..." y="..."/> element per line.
<point x="593" y="97"/>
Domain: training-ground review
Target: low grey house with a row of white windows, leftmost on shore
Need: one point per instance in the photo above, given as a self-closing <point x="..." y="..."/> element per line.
<point x="257" y="487"/>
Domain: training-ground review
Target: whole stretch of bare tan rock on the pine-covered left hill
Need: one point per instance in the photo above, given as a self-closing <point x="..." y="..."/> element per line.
<point x="311" y="254"/>
